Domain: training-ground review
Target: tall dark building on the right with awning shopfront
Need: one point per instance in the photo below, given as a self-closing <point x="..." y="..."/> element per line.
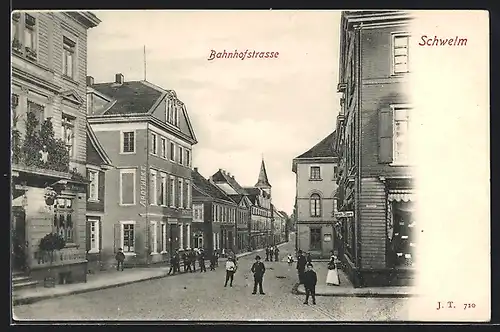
<point x="375" y="194"/>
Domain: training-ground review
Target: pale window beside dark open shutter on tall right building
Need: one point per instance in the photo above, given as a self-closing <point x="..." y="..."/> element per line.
<point x="401" y="135"/>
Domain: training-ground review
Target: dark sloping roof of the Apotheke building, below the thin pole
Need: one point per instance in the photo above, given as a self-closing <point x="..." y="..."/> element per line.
<point x="132" y="97"/>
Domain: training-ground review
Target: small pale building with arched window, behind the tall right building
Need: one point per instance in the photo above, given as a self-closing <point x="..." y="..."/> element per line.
<point x="315" y="204"/>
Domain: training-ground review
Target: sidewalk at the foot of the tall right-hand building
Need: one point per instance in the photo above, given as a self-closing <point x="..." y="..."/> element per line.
<point x="346" y="289"/>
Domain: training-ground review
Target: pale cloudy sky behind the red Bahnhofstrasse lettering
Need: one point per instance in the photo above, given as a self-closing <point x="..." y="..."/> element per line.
<point x="241" y="110"/>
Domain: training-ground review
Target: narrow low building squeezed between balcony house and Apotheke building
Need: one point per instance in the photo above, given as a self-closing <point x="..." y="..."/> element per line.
<point x="98" y="163"/>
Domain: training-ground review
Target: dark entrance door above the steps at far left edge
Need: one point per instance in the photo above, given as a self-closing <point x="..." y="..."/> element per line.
<point x="19" y="239"/>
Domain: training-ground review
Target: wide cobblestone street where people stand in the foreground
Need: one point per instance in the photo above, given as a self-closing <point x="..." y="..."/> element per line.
<point x="202" y="296"/>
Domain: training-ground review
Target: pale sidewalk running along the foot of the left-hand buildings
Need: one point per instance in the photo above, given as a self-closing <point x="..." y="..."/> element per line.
<point x="98" y="281"/>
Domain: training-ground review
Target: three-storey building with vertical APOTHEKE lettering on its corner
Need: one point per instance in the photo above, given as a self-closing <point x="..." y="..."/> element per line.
<point x="146" y="131"/>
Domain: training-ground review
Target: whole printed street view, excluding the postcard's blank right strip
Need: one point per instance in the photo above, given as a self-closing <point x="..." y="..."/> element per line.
<point x="152" y="182"/>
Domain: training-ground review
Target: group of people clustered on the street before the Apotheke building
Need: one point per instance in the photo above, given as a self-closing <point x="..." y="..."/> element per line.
<point x="189" y="258"/>
